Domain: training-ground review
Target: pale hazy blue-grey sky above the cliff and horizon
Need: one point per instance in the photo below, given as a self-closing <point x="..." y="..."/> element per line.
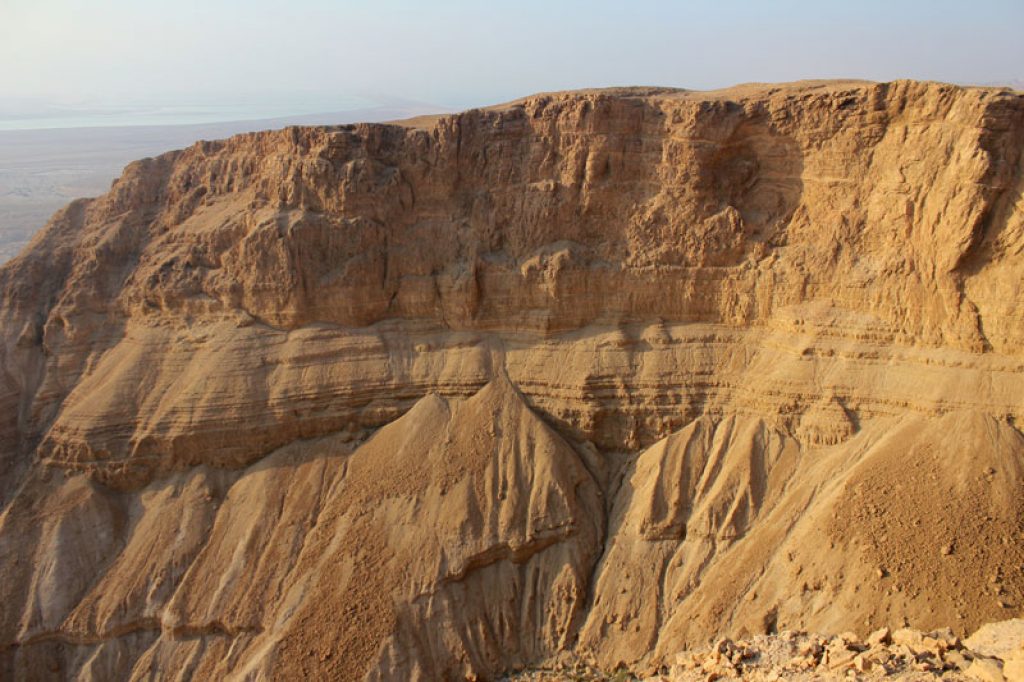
<point x="461" y="54"/>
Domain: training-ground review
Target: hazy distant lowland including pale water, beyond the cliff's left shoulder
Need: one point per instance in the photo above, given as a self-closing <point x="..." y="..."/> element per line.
<point x="49" y="158"/>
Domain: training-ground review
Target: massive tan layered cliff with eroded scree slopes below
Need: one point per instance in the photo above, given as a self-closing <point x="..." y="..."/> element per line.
<point x="606" y="374"/>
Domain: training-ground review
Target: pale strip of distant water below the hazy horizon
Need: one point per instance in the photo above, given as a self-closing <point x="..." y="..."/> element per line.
<point x="31" y="116"/>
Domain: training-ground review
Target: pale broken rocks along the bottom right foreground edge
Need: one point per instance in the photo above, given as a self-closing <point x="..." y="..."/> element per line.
<point x="995" y="654"/>
